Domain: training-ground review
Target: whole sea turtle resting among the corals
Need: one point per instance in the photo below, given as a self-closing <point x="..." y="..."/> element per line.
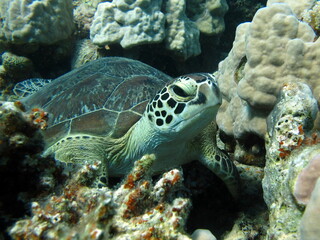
<point x="112" y="111"/>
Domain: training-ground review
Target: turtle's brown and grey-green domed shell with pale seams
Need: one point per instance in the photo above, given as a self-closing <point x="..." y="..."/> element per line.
<point x="103" y="97"/>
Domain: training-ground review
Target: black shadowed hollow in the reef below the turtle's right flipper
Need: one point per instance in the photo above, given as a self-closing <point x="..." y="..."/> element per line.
<point x="210" y="197"/>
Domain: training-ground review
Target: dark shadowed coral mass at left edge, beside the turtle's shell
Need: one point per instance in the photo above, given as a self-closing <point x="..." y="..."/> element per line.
<point x="24" y="174"/>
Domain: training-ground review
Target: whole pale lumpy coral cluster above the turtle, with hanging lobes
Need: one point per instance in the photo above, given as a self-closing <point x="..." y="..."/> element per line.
<point x="141" y="22"/>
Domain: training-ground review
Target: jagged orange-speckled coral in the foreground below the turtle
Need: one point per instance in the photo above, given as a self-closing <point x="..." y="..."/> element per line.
<point x="138" y="209"/>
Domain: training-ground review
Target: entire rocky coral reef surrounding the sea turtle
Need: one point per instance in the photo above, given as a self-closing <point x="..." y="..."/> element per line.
<point x="268" y="122"/>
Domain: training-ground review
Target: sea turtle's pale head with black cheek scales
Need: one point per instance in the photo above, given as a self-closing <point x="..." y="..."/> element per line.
<point x="185" y="106"/>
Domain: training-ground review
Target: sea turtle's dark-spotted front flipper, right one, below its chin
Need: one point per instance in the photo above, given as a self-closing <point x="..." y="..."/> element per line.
<point x="218" y="161"/>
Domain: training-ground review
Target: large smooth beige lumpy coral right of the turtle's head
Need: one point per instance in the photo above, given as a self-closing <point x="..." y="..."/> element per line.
<point x="274" y="49"/>
